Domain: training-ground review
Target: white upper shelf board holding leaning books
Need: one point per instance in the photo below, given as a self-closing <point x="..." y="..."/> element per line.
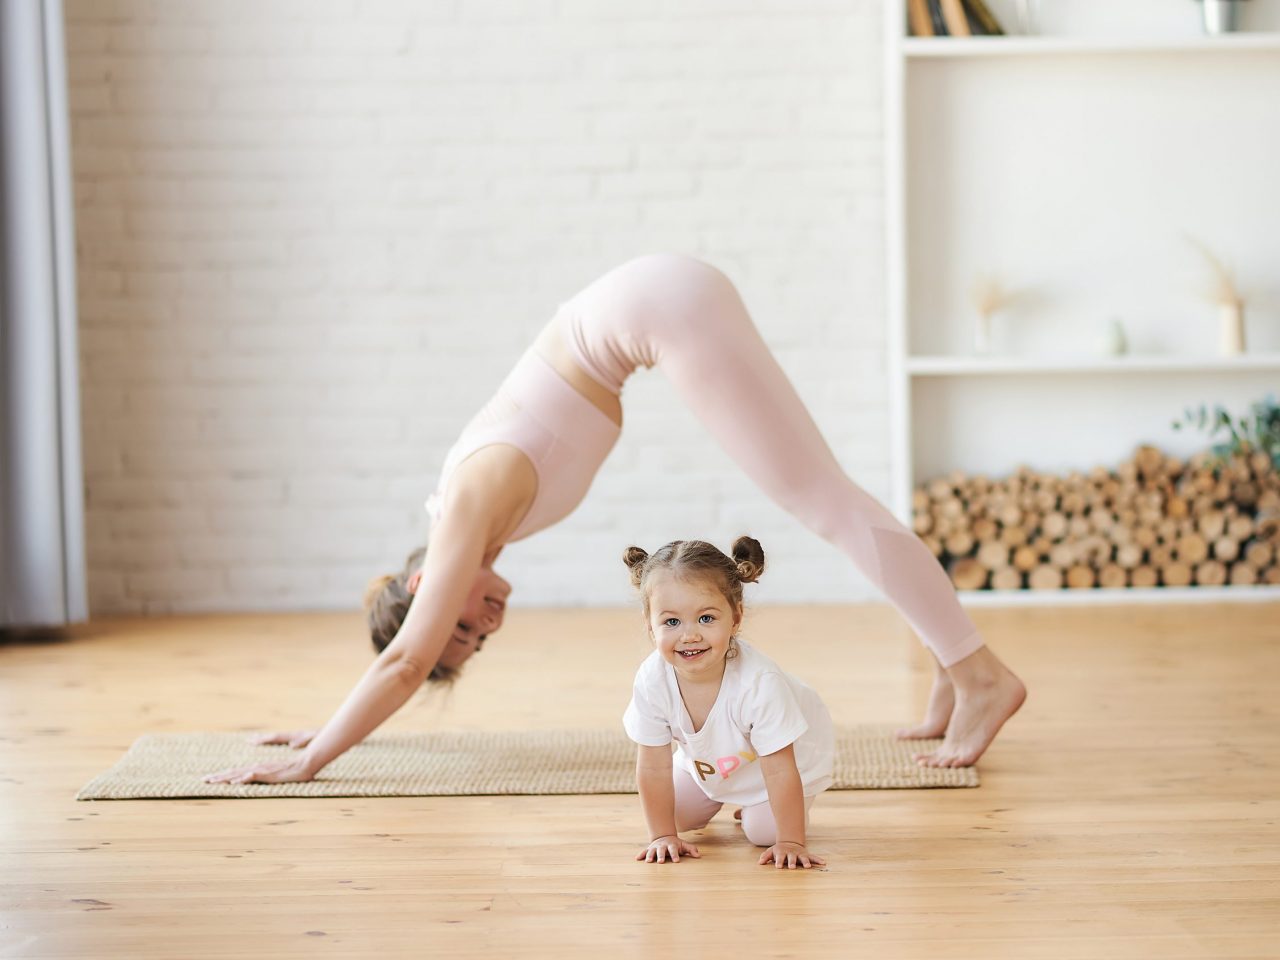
<point x="924" y="48"/>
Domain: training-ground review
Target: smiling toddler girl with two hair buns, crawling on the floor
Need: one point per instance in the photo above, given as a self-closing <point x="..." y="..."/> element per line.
<point x="746" y="733"/>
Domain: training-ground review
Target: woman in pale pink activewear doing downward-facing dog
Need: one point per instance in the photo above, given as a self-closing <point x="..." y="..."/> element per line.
<point x="527" y="460"/>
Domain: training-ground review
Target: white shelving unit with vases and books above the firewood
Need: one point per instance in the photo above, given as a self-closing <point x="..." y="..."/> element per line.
<point x="1077" y="167"/>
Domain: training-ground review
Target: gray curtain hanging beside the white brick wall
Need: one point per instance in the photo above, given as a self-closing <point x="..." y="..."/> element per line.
<point x="42" y="486"/>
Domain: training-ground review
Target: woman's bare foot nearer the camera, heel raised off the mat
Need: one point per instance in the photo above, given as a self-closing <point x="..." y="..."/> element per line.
<point x="986" y="696"/>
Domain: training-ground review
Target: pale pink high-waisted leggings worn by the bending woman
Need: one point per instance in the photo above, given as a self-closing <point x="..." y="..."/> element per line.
<point x="687" y="319"/>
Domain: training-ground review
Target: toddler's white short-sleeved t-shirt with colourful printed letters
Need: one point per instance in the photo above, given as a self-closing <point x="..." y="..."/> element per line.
<point x="760" y="711"/>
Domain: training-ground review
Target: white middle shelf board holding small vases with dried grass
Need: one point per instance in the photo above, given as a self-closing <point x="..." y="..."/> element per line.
<point x="1135" y="364"/>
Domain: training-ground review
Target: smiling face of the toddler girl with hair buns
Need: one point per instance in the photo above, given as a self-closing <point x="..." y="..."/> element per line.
<point x="692" y="624"/>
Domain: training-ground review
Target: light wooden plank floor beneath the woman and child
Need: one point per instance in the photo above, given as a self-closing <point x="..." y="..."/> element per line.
<point x="1128" y="812"/>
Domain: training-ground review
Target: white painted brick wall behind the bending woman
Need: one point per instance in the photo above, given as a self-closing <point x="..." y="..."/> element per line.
<point x="316" y="234"/>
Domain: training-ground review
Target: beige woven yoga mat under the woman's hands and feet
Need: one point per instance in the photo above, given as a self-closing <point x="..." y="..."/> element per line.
<point x="171" y="766"/>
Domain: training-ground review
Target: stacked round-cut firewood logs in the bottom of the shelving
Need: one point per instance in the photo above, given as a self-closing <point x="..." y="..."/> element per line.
<point x="1155" y="522"/>
